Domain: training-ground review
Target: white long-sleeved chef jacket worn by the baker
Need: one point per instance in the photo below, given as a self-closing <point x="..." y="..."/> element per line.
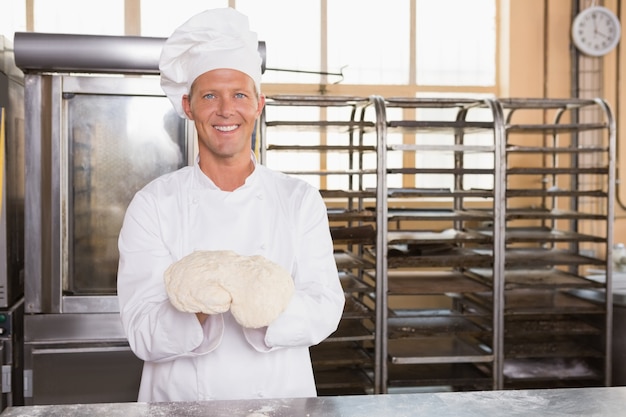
<point x="274" y="215"/>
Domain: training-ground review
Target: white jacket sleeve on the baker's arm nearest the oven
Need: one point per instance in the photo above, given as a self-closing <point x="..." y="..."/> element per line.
<point x="155" y="330"/>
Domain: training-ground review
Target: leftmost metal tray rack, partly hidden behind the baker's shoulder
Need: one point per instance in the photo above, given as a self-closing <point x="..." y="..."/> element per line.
<point x="342" y="128"/>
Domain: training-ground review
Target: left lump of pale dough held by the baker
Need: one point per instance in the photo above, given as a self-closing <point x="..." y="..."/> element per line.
<point x="193" y="282"/>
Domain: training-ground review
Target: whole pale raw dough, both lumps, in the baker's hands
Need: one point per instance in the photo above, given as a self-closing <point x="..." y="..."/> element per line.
<point x="256" y="289"/>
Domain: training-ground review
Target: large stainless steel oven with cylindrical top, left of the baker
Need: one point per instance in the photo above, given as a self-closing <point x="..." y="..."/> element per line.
<point x="98" y="128"/>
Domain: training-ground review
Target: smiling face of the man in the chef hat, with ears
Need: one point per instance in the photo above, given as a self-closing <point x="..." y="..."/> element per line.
<point x="224" y="105"/>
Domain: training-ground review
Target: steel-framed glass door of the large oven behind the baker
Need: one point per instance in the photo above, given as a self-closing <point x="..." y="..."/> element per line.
<point x="94" y="141"/>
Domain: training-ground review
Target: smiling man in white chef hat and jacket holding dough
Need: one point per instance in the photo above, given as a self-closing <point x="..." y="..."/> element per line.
<point x="211" y="70"/>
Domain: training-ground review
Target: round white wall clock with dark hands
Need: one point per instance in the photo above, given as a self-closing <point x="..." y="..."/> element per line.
<point x="596" y="31"/>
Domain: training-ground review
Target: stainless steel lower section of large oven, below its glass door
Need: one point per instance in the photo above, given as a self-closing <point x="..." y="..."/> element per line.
<point x="78" y="358"/>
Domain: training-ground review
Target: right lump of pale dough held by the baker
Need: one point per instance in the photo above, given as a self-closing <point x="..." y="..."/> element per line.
<point x="260" y="291"/>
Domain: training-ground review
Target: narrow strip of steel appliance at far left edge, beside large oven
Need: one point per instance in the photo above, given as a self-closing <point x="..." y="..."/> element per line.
<point x="11" y="226"/>
